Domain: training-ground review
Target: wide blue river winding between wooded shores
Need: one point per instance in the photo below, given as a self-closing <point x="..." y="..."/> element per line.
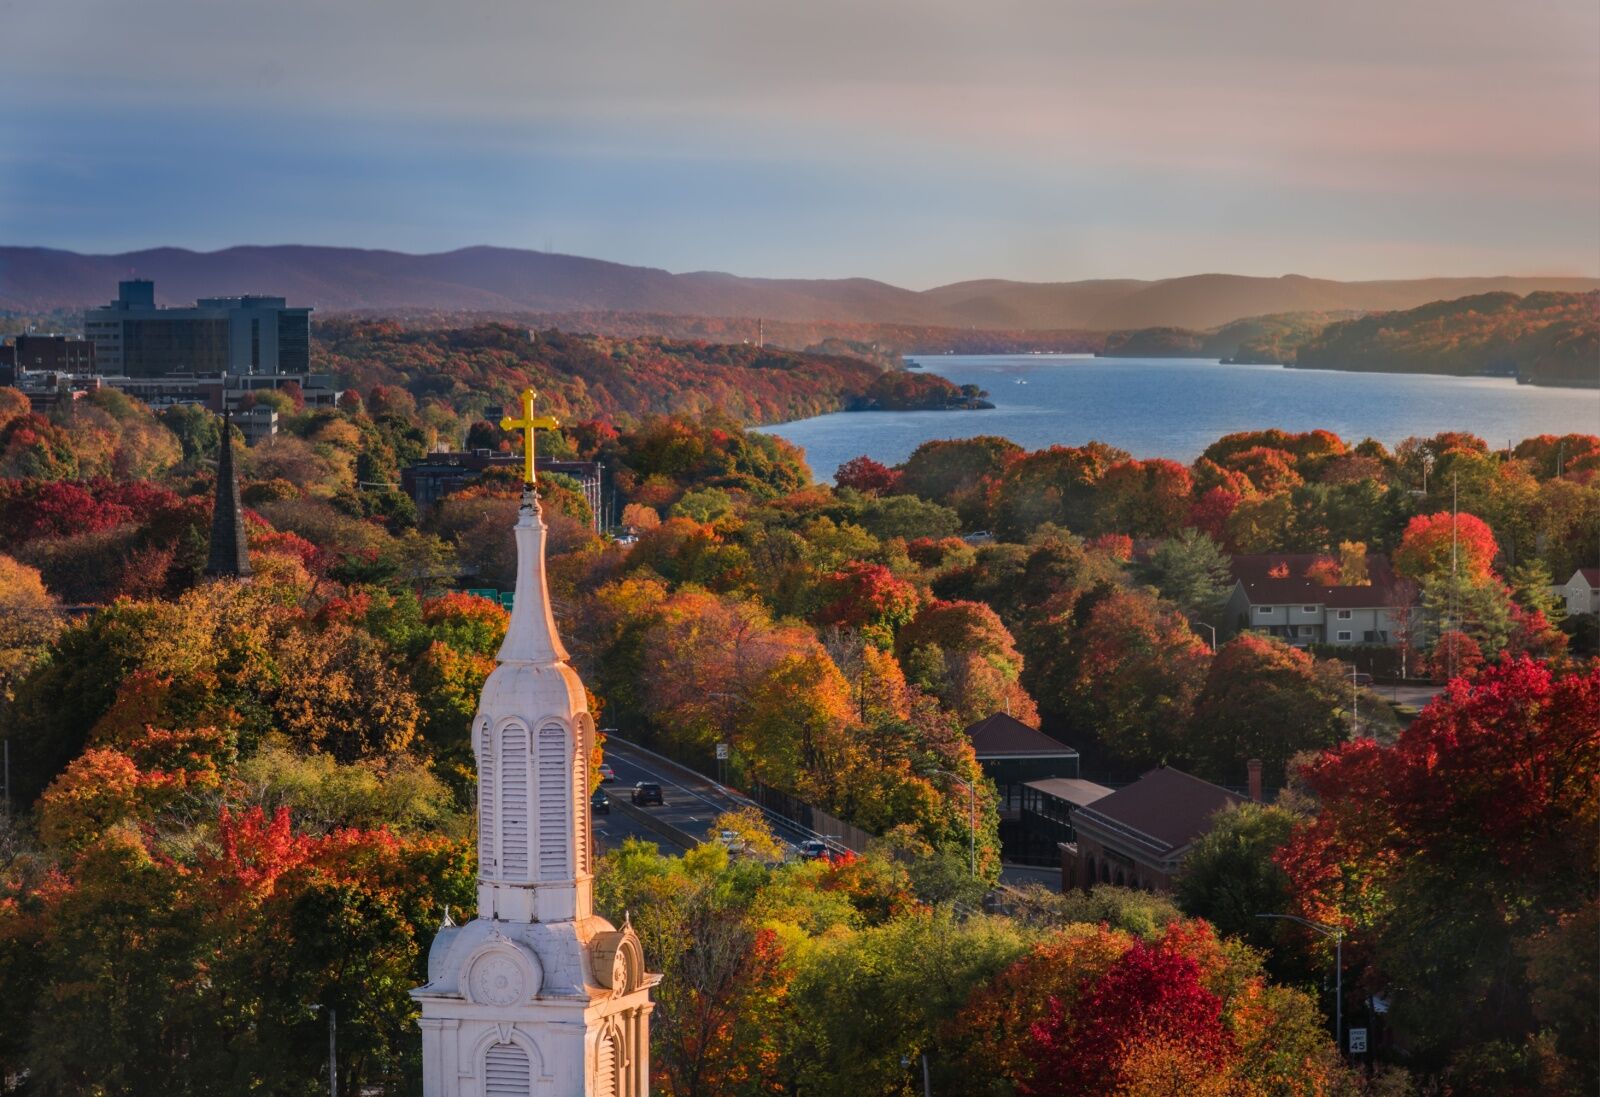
<point x="1177" y="407"/>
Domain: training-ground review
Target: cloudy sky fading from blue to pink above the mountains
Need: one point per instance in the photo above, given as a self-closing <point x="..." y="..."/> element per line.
<point x="914" y="142"/>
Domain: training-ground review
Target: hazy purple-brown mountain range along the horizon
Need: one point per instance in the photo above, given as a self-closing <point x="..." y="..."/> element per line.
<point x="508" y="281"/>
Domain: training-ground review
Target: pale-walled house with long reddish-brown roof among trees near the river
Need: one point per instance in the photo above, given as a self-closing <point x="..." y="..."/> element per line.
<point x="1276" y="594"/>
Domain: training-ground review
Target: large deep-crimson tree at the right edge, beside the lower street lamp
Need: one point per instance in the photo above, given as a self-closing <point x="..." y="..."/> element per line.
<point x="1474" y="832"/>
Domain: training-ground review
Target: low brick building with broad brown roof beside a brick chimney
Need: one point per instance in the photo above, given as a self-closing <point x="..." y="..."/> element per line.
<point x="1137" y="837"/>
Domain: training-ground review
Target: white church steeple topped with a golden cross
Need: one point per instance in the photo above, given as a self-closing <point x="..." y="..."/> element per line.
<point x="537" y="995"/>
